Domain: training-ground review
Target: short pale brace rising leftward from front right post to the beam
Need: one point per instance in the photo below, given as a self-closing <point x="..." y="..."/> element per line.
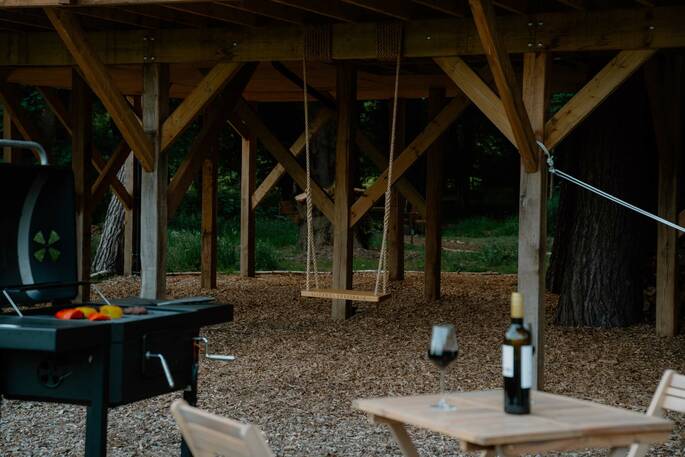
<point x="478" y="92"/>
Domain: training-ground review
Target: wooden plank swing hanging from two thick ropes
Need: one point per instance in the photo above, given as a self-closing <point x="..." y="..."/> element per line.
<point x="380" y="292"/>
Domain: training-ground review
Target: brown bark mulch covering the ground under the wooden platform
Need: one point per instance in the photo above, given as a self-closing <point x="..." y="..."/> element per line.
<point x="298" y="371"/>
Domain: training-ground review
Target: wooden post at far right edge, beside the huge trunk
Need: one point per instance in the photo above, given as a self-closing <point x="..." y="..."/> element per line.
<point x="663" y="75"/>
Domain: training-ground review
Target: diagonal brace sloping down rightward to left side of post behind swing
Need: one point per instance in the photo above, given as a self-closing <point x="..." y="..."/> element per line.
<point x="246" y="116"/>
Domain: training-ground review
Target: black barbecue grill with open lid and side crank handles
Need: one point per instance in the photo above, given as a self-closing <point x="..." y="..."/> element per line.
<point x="97" y="364"/>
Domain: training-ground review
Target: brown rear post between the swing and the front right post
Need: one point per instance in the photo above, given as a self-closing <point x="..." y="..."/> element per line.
<point x="434" y="176"/>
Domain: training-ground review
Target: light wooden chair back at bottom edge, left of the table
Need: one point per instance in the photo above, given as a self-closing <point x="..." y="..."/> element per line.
<point x="209" y="435"/>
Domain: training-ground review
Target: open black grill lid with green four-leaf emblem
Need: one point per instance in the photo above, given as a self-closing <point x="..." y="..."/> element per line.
<point x="37" y="232"/>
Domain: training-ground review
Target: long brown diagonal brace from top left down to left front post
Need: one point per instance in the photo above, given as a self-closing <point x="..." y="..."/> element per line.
<point x="95" y="72"/>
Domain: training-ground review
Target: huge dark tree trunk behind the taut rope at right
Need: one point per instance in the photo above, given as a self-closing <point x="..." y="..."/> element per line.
<point x="601" y="249"/>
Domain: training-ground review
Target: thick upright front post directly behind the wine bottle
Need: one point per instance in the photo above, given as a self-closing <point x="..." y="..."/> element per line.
<point x="532" y="245"/>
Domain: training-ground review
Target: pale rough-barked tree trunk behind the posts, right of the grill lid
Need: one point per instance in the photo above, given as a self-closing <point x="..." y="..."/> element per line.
<point x="108" y="257"/>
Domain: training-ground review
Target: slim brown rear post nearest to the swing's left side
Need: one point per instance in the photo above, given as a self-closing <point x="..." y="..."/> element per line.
<point x="248" y="178"/>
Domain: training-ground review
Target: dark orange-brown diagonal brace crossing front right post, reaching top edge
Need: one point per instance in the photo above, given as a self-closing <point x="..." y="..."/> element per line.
<point x="507" y="84"/>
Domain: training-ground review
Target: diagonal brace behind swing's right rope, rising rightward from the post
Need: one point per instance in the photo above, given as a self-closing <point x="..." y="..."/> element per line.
<point x="410" y="154"/>
